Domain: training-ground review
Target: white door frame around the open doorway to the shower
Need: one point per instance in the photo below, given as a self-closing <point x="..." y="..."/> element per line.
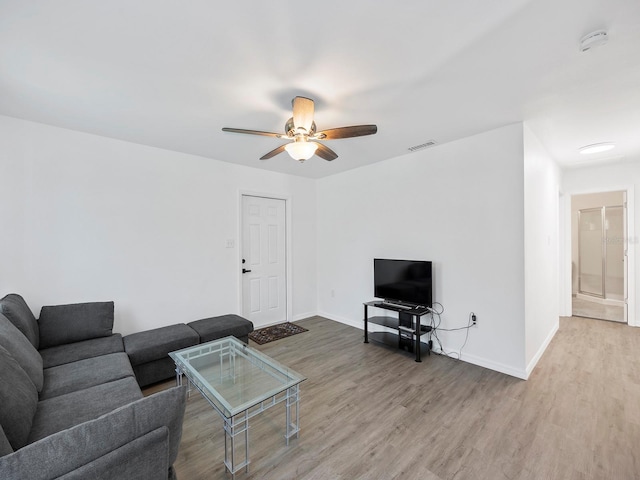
<point x="565" y="304"/>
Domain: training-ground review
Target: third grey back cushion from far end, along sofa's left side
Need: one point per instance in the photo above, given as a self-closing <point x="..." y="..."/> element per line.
<point x="18" y="400"/>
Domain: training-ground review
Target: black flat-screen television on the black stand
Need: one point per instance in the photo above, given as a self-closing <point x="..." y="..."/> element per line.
<point x="403" y="281"/>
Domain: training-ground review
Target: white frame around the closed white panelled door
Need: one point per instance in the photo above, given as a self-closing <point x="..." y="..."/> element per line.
<point x="288" y="255"/>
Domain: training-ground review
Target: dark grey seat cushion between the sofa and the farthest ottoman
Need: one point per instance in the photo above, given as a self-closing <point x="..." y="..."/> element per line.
<point x="151" y="345"/>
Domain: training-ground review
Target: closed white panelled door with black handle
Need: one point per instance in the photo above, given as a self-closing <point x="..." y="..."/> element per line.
<point x="264" y="292"/>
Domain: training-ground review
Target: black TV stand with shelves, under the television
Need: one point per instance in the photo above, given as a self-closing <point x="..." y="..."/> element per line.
<point x="407" y="323"/>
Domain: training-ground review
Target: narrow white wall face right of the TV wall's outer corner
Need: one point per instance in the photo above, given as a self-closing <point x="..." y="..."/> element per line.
<point x="542" y="180"/>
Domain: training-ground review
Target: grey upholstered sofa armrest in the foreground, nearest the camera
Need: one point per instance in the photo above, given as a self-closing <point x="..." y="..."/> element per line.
<point x="117" y="437"/>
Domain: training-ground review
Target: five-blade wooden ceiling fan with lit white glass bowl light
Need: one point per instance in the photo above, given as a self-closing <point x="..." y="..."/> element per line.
<point x="301" y="129"/>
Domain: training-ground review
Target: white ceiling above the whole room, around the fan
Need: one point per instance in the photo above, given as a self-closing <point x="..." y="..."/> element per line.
<point x="171" y="74"/>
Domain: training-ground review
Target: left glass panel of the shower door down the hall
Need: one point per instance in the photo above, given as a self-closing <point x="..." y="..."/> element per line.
<point x="591" y="251"/>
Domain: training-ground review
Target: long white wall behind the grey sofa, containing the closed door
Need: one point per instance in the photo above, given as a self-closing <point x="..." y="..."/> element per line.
<point x="102" y="219"/>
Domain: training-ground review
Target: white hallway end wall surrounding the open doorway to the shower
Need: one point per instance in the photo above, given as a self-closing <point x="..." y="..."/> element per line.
<point x="604" y="178"/>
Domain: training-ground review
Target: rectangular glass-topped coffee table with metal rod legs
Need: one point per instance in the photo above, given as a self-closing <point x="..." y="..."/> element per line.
<point x="240" y="382"/>
